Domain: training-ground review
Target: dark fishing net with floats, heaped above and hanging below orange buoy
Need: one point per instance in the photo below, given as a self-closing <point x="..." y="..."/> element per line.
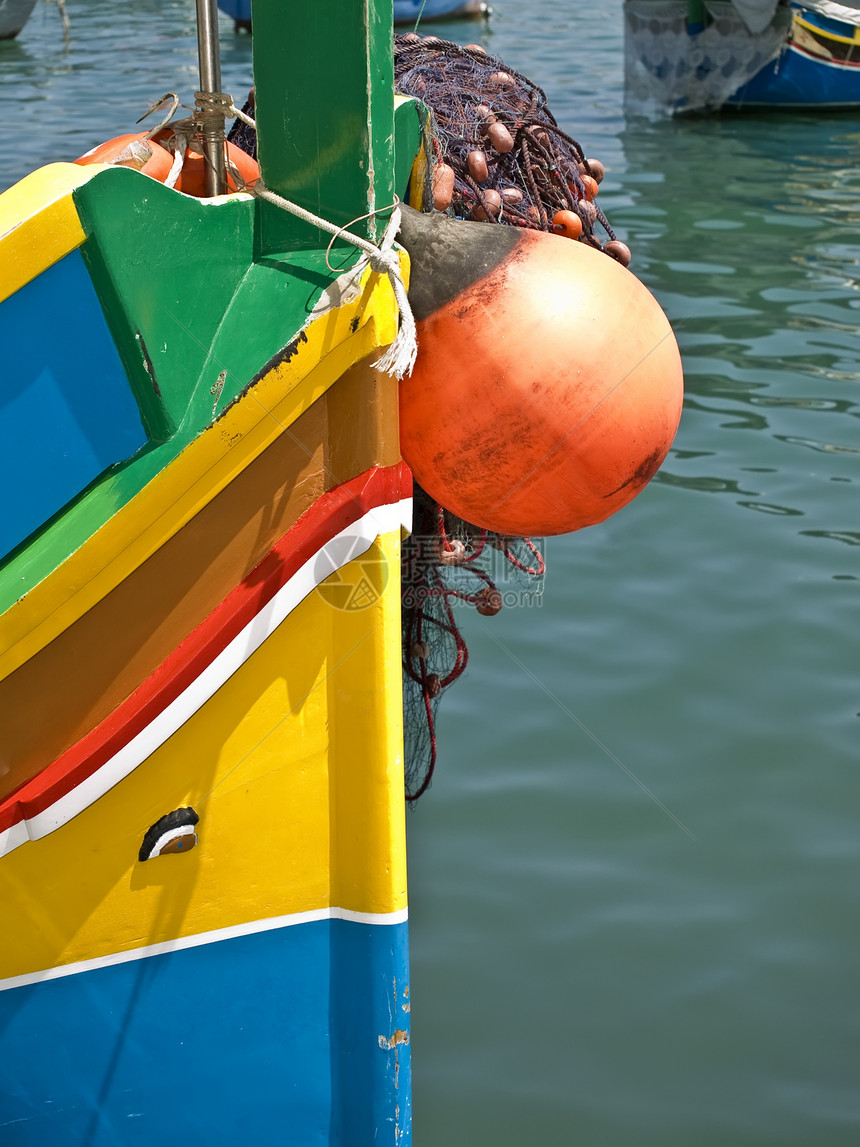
<point x="496" y="154"/>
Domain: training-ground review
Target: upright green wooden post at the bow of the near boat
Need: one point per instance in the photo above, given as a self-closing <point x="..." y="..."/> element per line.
<point x="324" y="77"/>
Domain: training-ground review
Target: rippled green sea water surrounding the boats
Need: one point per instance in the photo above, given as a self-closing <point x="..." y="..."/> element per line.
<point x="635" y="880"/>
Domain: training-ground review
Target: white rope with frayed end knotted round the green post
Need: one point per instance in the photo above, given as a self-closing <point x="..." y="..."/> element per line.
<point x="401" y="357"/>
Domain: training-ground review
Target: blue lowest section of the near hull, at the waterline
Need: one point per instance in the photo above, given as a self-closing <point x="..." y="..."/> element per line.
<point x="303" y="1028"/>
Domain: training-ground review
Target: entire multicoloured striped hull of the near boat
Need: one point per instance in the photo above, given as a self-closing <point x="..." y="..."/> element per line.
<point x="202" y="839"/>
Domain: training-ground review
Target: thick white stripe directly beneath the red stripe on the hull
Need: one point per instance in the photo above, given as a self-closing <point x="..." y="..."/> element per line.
<point x="345" y="548"/>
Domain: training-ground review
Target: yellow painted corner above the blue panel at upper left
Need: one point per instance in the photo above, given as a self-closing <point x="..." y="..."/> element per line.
<point x="40" y="223"/>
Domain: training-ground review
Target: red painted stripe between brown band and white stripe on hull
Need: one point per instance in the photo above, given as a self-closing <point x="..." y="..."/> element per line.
<point x="330" y="516"/>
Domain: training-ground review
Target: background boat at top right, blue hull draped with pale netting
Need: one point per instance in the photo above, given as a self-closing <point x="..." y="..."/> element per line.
<point x="701" y="56"/>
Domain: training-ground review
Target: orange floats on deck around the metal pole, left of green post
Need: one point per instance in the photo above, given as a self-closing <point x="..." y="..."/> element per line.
<point x="155" y="160"/>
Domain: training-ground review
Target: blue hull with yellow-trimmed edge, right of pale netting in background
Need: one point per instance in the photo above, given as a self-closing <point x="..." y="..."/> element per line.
<point x="819" y="67"/>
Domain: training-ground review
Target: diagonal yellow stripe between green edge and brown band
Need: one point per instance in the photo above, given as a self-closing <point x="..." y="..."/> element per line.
<point x="204" y="469"/>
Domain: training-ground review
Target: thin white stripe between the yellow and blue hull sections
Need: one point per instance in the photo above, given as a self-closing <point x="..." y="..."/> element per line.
<point x="212" y="938"/>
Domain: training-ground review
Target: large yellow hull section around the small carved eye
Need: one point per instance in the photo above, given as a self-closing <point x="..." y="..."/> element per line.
<point x="295" y="768"/>
